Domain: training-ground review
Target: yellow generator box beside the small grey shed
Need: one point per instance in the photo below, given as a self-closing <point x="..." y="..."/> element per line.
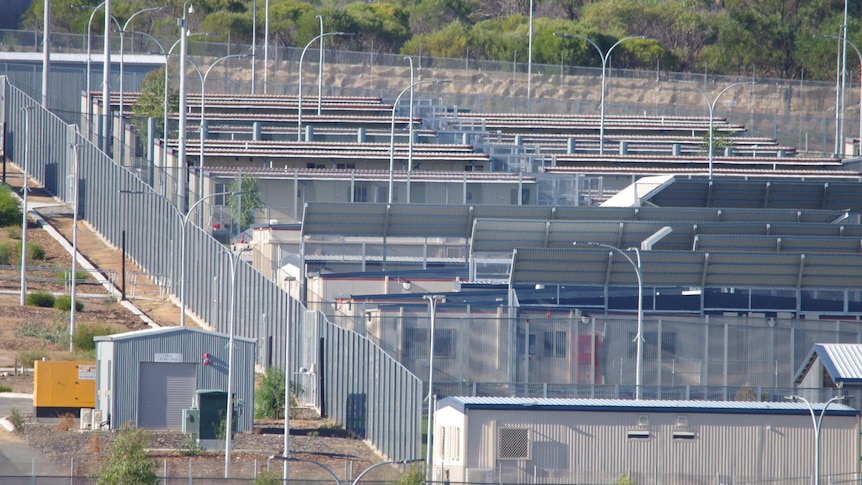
<point x="63" y="387"/>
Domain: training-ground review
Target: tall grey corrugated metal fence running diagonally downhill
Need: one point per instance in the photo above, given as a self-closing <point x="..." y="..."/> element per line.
<point x="120" y="206"/>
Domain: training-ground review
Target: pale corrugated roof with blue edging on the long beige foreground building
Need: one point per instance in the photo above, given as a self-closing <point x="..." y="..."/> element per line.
<point x="622" y="405"/>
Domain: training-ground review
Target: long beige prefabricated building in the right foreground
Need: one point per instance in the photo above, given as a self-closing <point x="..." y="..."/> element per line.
<point x="524" y="440"/>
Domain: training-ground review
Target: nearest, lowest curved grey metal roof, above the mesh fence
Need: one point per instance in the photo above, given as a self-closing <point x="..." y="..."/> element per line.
<point x="597" y="266"/>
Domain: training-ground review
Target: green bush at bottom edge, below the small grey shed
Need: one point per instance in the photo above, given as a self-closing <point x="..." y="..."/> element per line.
<point x="128" y="461"/>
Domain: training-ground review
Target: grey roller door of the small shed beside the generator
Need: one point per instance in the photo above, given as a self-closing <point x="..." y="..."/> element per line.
<point x="164" y="390"/>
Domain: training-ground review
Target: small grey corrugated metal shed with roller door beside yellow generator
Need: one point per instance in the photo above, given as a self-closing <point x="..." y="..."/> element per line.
<point x="148" y="377"/>
